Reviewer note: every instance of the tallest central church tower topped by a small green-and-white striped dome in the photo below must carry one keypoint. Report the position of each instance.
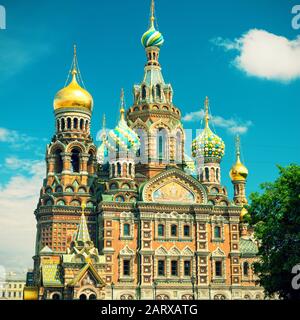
(153, 116)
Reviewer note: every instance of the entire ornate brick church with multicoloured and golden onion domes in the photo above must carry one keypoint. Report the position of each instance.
(135, 217)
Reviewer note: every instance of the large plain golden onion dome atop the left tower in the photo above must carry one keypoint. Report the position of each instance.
(73, 96)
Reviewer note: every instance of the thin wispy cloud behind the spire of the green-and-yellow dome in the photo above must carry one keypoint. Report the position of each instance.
(233, 126)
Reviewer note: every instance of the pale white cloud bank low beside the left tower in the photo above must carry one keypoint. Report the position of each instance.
(18, 199)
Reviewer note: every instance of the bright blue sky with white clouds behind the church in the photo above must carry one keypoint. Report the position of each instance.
(242, 54)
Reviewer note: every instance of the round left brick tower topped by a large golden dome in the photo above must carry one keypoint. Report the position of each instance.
(71, 168)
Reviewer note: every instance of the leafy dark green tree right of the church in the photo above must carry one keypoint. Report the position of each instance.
(275, 215)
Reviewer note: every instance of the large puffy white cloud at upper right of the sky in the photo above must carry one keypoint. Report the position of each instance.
(265, 55)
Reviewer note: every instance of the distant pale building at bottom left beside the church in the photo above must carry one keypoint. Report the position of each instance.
(12, 287)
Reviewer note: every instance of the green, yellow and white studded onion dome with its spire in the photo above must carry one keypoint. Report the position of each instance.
(208, 144)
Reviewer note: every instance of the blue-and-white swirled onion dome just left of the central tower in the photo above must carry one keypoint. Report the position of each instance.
(122, 137)
